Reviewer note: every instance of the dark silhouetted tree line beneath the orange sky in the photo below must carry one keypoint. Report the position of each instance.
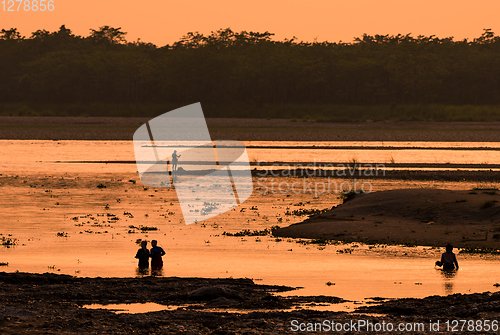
(247, 68)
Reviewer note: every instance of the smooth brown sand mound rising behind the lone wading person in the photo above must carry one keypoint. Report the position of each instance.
(430, 217)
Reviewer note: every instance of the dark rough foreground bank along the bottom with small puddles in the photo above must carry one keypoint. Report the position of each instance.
(52, 304)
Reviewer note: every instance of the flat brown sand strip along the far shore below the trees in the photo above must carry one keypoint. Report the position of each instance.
(121, 128)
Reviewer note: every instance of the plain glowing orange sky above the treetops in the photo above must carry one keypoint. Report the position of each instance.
(165, 21)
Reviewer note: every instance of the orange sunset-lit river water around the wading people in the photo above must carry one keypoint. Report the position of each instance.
(43, 197)
